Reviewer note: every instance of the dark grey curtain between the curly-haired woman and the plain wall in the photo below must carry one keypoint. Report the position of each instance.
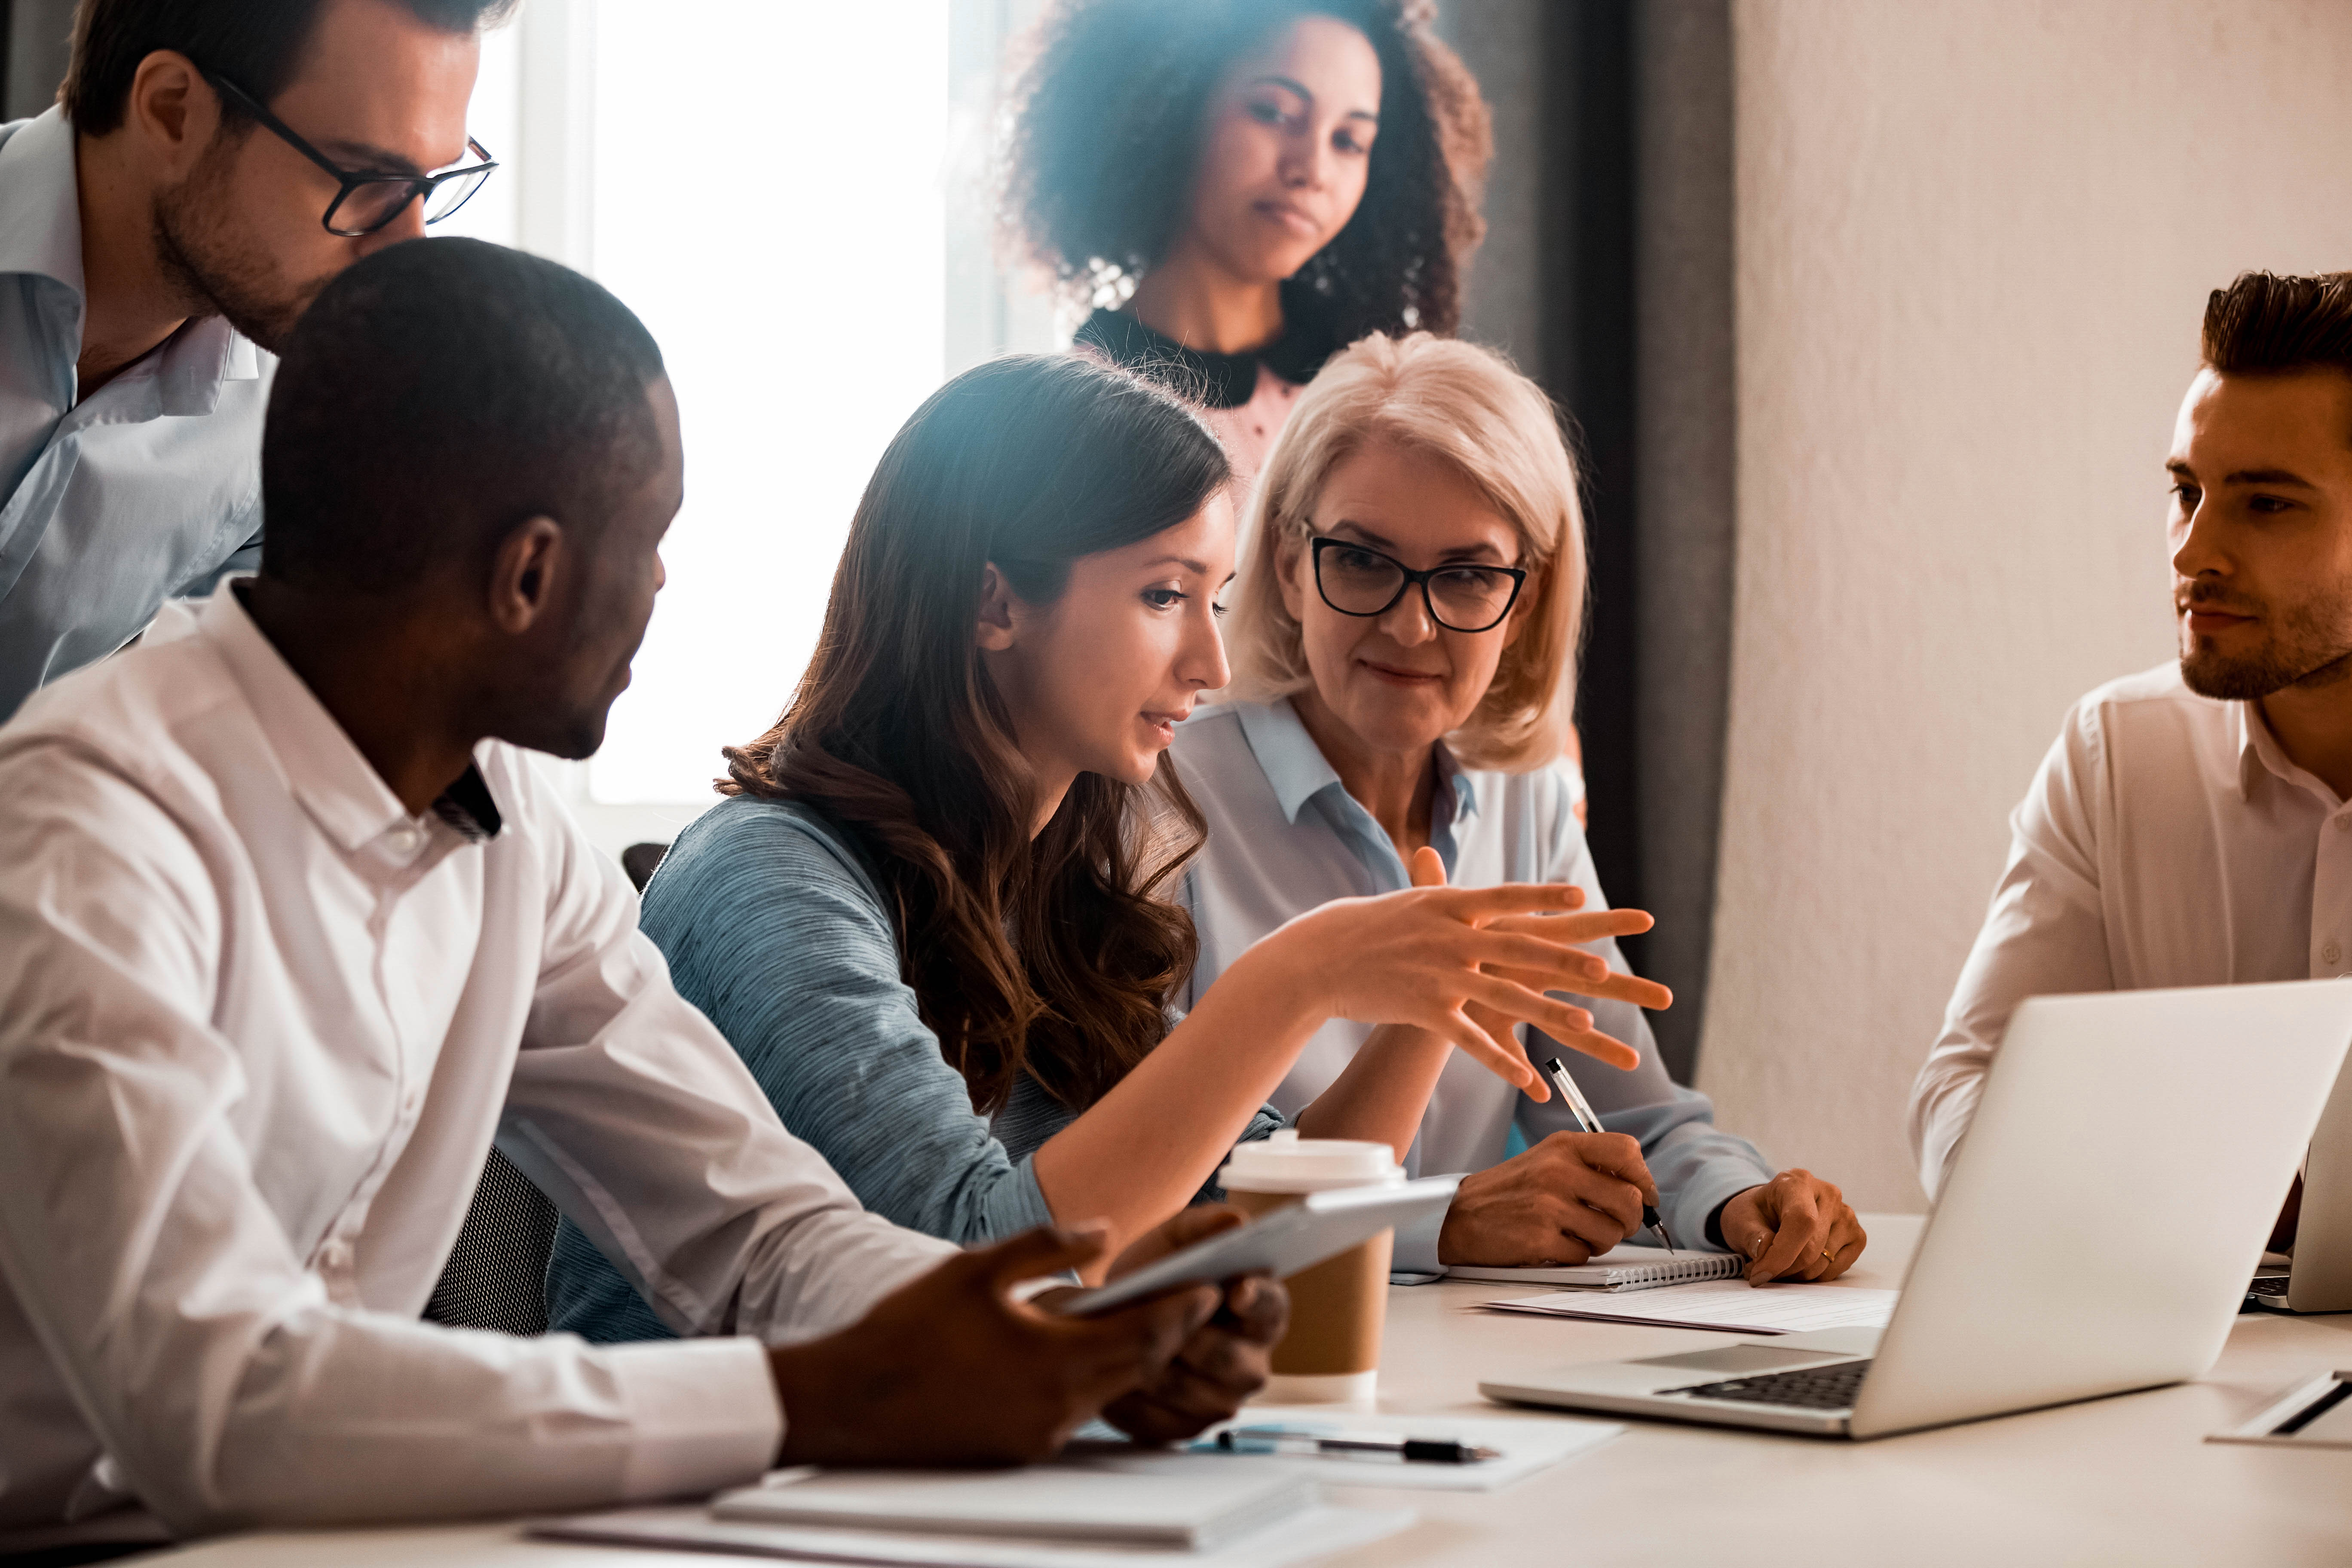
(1608, 276)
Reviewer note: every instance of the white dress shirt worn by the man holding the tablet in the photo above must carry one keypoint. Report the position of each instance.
(258, 1033)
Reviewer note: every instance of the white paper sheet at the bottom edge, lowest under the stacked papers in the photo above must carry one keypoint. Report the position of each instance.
(1302, 1539)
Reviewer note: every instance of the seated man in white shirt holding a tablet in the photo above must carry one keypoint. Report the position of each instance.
(290, 932)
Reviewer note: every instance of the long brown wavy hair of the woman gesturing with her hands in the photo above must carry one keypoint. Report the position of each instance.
(1048, 958)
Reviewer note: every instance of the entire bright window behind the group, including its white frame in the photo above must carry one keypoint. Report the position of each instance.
(791, 199)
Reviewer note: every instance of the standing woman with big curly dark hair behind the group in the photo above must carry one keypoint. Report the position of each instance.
(1271, 177)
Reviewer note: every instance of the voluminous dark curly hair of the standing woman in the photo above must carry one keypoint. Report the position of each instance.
(1107, 128)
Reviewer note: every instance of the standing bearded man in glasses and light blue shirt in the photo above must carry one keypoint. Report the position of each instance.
(211, 166)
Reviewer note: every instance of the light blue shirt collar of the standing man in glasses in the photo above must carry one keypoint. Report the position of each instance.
(41, 236)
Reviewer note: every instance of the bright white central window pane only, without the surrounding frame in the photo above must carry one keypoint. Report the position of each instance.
(768, 199)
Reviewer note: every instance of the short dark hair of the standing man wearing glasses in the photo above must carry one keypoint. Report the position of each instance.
(253, 43)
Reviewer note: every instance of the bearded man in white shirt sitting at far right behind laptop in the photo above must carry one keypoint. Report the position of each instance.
(2191, 826)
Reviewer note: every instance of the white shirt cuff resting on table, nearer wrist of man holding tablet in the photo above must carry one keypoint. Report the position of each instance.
(702, 1414)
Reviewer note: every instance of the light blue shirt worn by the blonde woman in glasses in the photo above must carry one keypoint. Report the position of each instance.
(1288, 838)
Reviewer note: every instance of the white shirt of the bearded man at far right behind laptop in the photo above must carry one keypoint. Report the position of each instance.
(2167, 840)
